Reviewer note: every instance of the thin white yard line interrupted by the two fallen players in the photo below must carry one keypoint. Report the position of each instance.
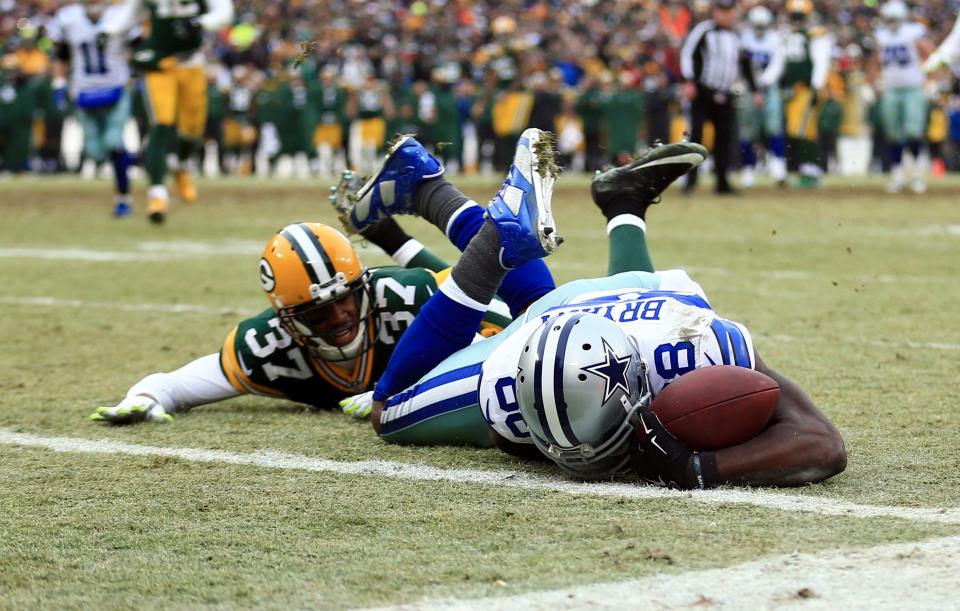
(178, 308)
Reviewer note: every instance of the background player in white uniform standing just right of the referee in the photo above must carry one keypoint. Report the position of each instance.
(761, 120)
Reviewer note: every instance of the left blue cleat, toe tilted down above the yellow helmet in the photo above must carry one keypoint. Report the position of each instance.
(390, 190)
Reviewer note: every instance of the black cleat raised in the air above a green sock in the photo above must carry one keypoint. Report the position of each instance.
(641, 181)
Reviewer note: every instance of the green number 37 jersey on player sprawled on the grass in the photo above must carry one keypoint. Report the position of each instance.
(260, 357)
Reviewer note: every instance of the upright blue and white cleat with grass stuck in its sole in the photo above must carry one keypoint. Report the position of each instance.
(521, 209)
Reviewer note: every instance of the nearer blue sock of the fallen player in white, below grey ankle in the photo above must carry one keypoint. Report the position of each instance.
(442, 327)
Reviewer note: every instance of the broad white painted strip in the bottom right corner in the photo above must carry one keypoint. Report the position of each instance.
(901, 576)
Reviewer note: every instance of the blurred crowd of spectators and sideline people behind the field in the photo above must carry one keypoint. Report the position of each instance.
(329, 81)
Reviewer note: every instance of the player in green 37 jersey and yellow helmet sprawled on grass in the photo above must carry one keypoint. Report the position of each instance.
(330, 330)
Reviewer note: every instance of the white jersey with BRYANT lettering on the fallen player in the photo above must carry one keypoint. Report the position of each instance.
(676, 332)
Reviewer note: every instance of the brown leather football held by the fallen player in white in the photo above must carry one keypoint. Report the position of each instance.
(717, 407)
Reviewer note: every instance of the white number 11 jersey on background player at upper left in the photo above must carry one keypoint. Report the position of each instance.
(92, 68)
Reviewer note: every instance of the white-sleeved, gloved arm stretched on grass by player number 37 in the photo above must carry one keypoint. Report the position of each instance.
(158, 396)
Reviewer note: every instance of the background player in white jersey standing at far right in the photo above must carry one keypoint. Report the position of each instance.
(901, 48)
